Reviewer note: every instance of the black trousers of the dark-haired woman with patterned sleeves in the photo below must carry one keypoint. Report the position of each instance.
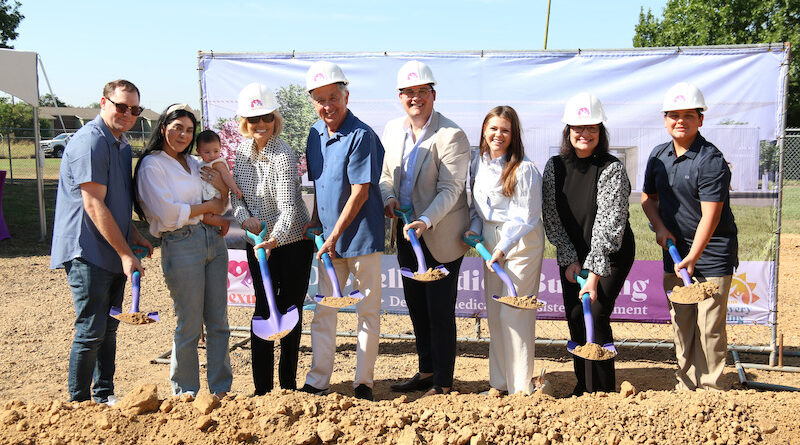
(603, 375)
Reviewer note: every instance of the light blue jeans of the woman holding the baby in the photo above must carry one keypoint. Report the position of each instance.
(194, 259)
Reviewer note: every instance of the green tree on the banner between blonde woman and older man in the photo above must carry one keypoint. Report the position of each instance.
(298, 116)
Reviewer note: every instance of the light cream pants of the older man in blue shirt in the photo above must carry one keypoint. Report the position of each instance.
(366, 270)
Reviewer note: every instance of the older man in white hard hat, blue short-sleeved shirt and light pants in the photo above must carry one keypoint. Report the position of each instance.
(344, 159)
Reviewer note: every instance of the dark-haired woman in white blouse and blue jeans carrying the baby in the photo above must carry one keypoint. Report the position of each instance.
(194, 257)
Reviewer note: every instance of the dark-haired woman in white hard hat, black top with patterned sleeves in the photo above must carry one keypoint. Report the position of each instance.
(585, 209)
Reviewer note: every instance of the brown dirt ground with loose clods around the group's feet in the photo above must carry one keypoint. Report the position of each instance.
(36, 331)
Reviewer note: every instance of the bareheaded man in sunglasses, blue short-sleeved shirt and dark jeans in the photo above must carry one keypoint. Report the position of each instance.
(91, 233)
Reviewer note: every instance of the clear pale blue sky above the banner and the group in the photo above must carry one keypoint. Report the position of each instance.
(154, 43)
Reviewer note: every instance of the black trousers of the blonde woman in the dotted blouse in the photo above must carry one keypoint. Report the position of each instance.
(289, 269)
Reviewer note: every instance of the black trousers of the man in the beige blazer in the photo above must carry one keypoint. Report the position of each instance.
(431, 306)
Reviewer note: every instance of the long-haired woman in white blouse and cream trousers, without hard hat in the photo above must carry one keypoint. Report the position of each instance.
(505, 209)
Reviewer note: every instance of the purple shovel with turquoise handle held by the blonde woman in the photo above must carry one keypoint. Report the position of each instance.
(277, 325)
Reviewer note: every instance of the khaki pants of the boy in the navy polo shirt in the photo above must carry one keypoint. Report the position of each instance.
(701, 341)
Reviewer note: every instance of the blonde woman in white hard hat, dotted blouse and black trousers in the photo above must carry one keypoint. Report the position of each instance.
(266, 171)
